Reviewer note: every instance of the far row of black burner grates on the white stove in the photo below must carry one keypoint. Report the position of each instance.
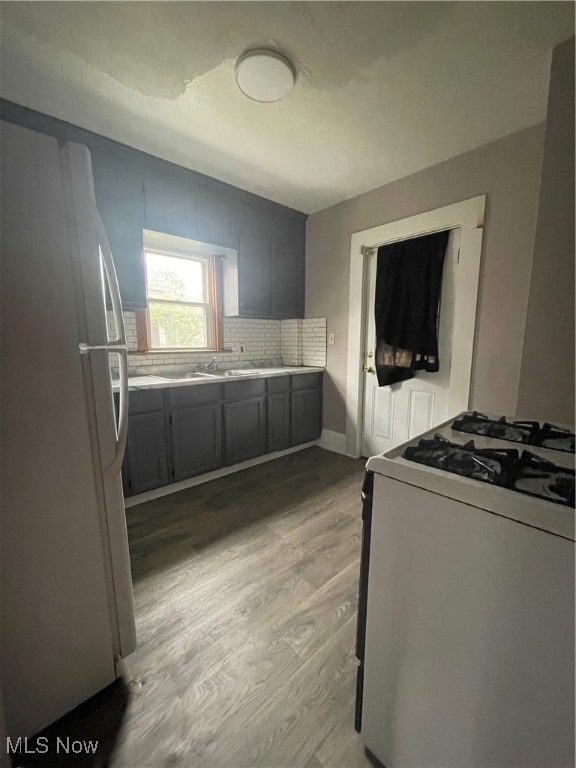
(527, 432)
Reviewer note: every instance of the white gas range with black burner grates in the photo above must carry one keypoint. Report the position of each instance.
(466, 609)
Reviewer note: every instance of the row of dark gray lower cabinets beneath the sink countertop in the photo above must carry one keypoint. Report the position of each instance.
(180, 432)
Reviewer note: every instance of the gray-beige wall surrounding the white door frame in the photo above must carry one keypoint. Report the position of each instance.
(508, 172)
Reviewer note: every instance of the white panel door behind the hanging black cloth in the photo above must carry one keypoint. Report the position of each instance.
(396, 413)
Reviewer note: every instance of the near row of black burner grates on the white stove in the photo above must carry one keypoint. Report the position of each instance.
(525, 473)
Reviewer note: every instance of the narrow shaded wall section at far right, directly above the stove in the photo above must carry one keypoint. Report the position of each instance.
(547, 380)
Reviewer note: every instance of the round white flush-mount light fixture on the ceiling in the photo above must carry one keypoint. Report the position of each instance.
(264, 75)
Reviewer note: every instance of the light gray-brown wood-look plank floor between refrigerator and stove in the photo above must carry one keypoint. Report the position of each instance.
(246, 592)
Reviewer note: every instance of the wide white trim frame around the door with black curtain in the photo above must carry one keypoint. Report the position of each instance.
(467, 215)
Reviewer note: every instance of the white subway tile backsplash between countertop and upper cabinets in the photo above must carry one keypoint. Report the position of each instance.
(292, 342)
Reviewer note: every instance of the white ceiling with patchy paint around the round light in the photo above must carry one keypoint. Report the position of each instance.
(383, 89)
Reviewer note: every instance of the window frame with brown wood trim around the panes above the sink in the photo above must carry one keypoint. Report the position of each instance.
(153, 242)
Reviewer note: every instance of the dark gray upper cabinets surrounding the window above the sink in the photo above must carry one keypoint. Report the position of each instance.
(135, 190)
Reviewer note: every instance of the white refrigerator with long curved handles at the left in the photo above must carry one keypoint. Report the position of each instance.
(66, 590)
